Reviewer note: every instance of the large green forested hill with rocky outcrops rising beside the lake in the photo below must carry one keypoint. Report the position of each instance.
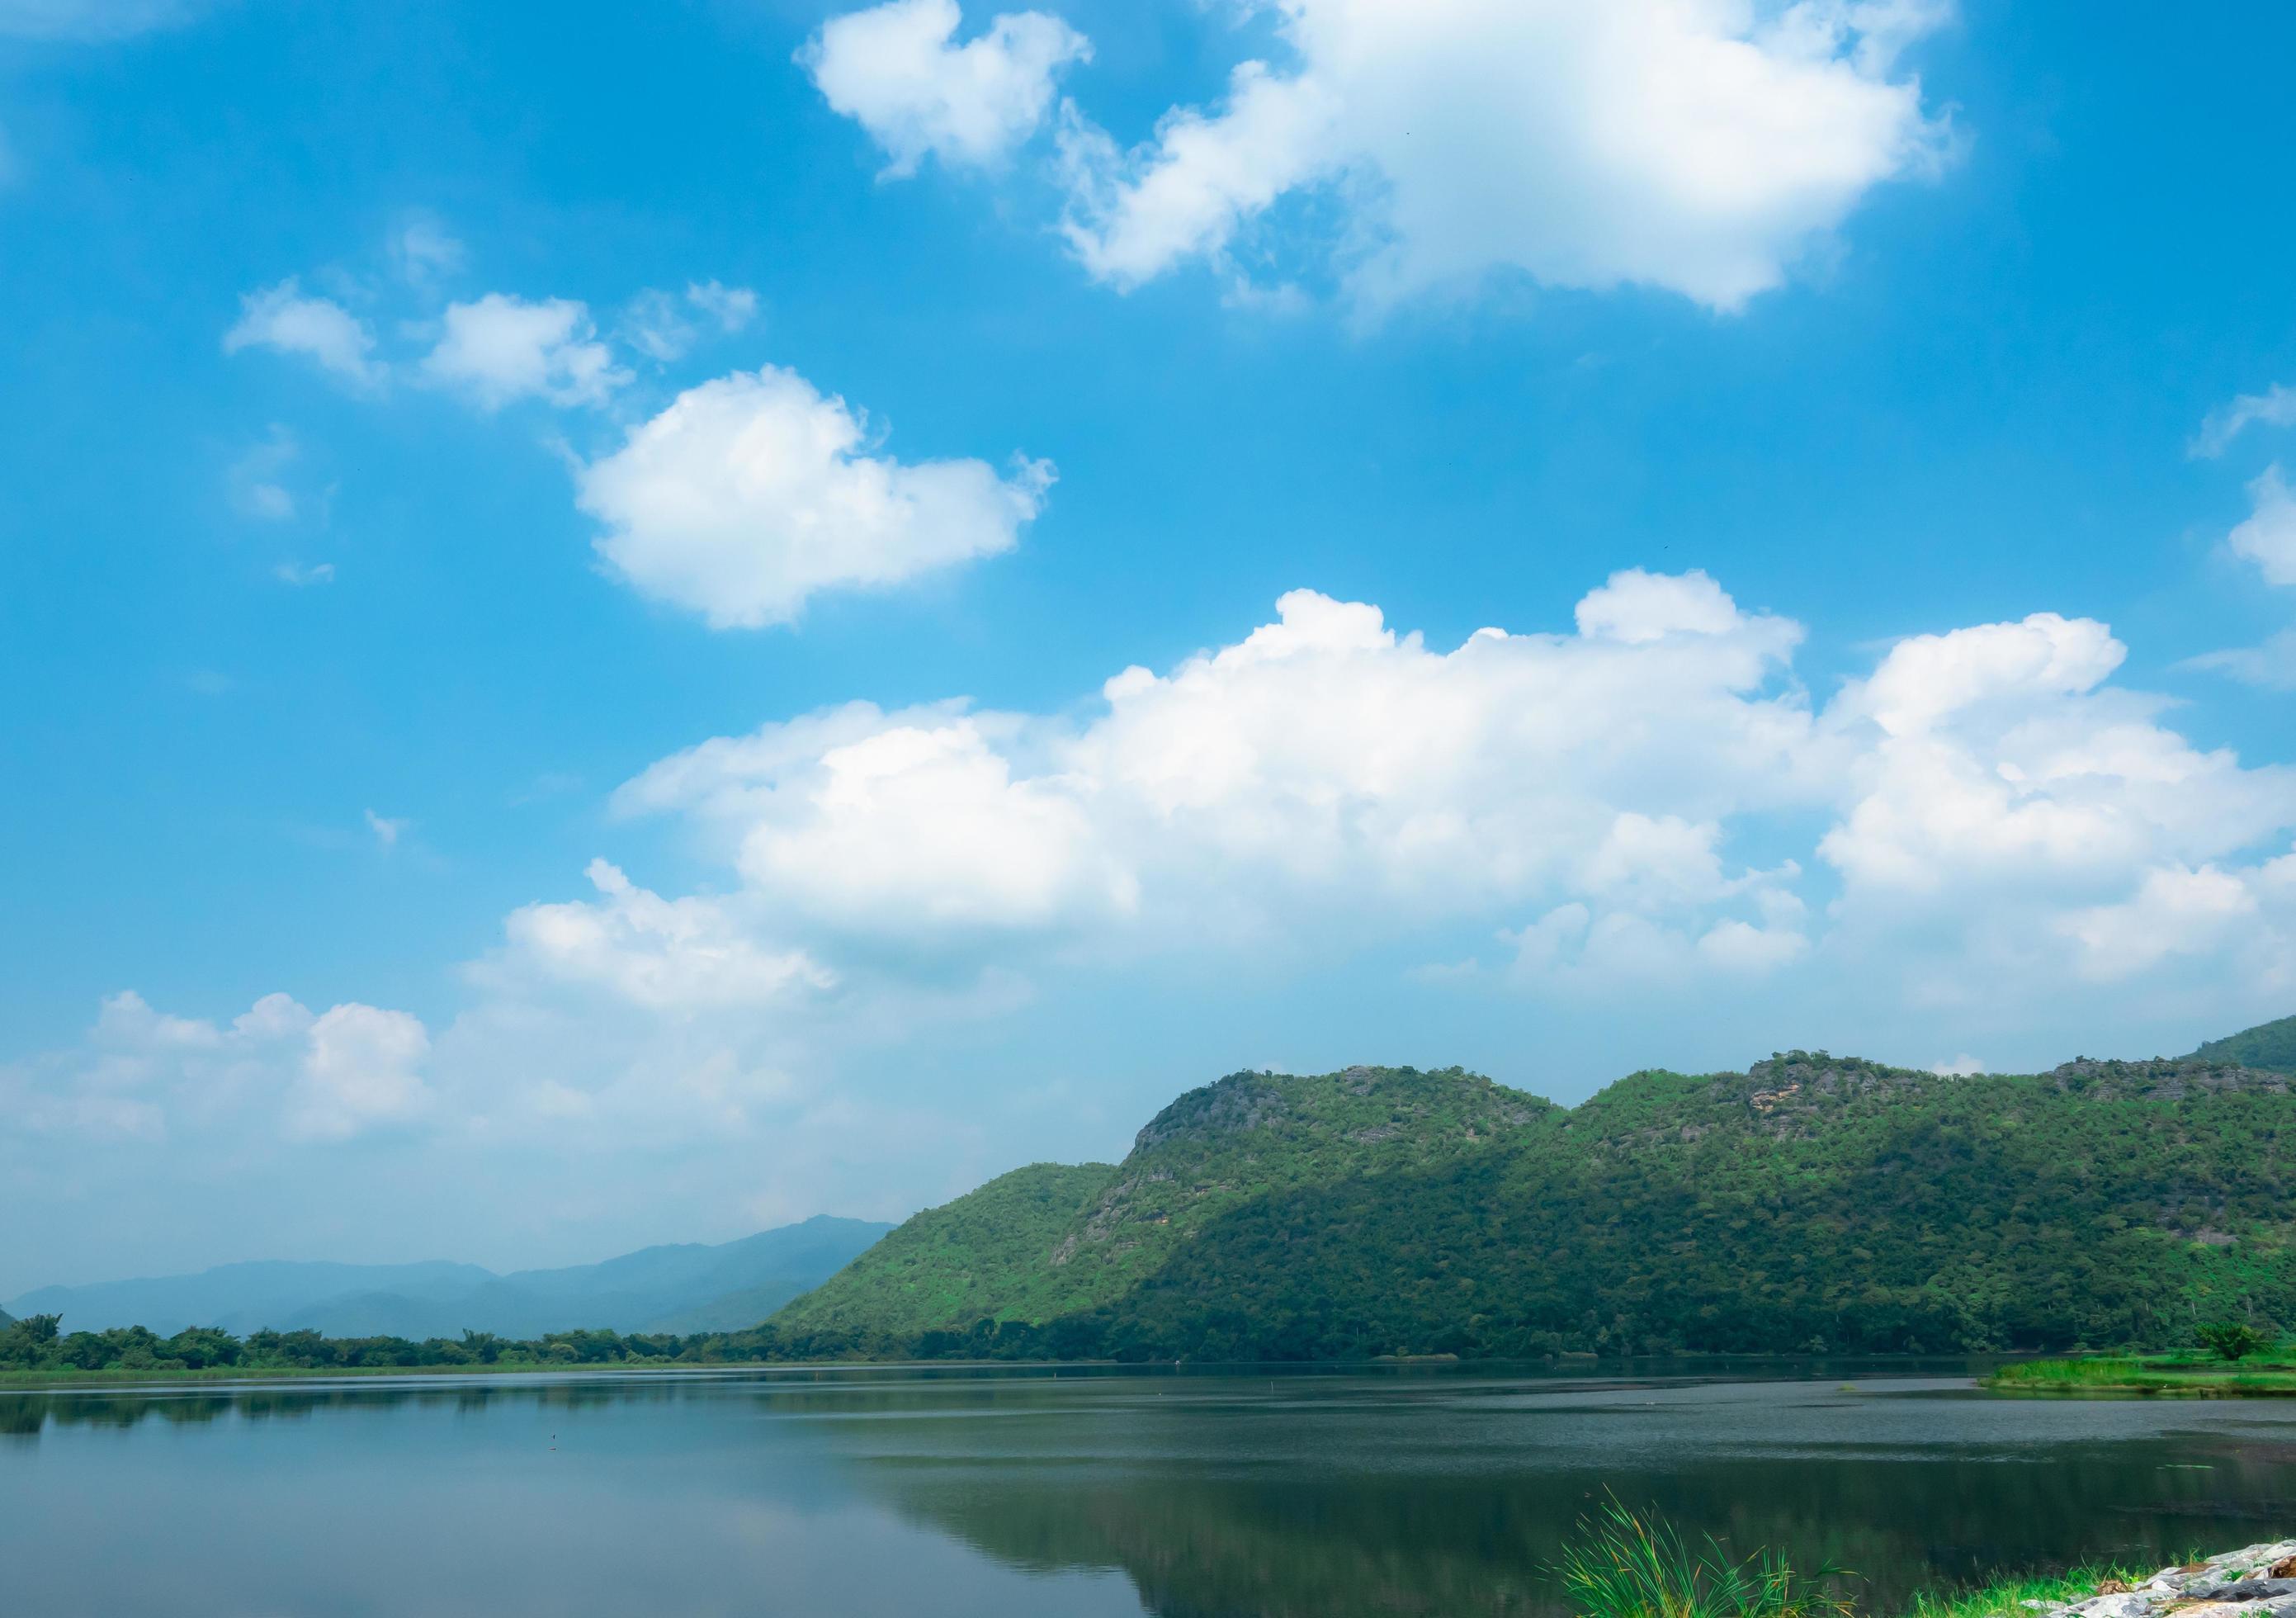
(1808, 1204)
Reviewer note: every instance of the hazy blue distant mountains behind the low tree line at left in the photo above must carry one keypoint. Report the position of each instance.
(662, 1289)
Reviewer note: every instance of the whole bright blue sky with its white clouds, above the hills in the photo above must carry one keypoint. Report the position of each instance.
(465, 462)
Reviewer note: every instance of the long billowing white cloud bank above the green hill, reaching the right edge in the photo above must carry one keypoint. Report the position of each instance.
(1597, 784)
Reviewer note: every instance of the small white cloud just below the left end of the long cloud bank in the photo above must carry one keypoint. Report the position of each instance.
(656, 954)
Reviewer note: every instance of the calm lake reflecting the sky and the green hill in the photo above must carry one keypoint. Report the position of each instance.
(1078, 1495)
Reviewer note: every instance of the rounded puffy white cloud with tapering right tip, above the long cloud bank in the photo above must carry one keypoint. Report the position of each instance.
(752, 492)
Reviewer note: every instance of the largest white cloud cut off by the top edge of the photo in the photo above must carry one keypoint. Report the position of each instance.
(1691, 146)
